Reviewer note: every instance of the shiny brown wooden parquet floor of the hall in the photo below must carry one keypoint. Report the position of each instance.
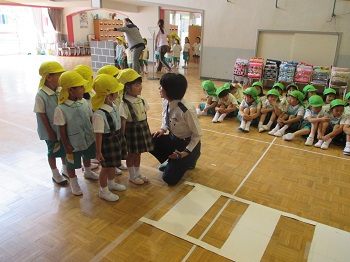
(40, 221)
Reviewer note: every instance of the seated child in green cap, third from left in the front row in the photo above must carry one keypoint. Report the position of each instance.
(248, 109)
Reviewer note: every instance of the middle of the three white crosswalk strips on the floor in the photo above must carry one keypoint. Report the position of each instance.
(252, 234)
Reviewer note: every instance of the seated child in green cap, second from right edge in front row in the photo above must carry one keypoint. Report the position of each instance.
(332, 127)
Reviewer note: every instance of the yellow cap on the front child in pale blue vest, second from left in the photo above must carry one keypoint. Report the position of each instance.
(67, 80)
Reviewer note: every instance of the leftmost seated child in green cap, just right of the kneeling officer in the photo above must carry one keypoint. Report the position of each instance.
(212, 99)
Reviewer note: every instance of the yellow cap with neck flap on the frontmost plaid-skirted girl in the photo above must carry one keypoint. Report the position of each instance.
(104, 85)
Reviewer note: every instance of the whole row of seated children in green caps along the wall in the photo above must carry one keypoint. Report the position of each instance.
(305, 113)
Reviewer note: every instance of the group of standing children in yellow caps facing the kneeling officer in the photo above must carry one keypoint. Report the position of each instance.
(69, 127)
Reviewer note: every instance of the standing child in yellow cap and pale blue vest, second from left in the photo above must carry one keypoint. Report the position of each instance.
(73, 116)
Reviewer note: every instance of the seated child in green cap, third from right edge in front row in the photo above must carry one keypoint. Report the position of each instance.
(312, 118)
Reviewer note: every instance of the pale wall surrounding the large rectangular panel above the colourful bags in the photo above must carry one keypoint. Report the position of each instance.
(230, 28)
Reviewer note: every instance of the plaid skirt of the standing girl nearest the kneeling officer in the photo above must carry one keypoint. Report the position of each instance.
(138, 137)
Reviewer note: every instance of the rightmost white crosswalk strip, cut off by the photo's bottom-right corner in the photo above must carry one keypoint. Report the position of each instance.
(329, 244)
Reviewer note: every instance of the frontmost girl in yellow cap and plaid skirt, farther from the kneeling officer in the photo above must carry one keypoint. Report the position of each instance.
(110, 142)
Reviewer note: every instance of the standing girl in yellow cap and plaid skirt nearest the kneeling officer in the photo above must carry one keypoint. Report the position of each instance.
(134, 123)
